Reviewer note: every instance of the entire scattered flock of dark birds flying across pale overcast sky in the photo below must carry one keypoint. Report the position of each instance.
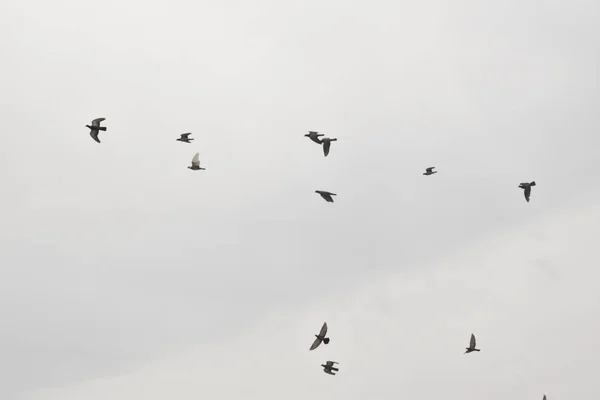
(318, 138)
